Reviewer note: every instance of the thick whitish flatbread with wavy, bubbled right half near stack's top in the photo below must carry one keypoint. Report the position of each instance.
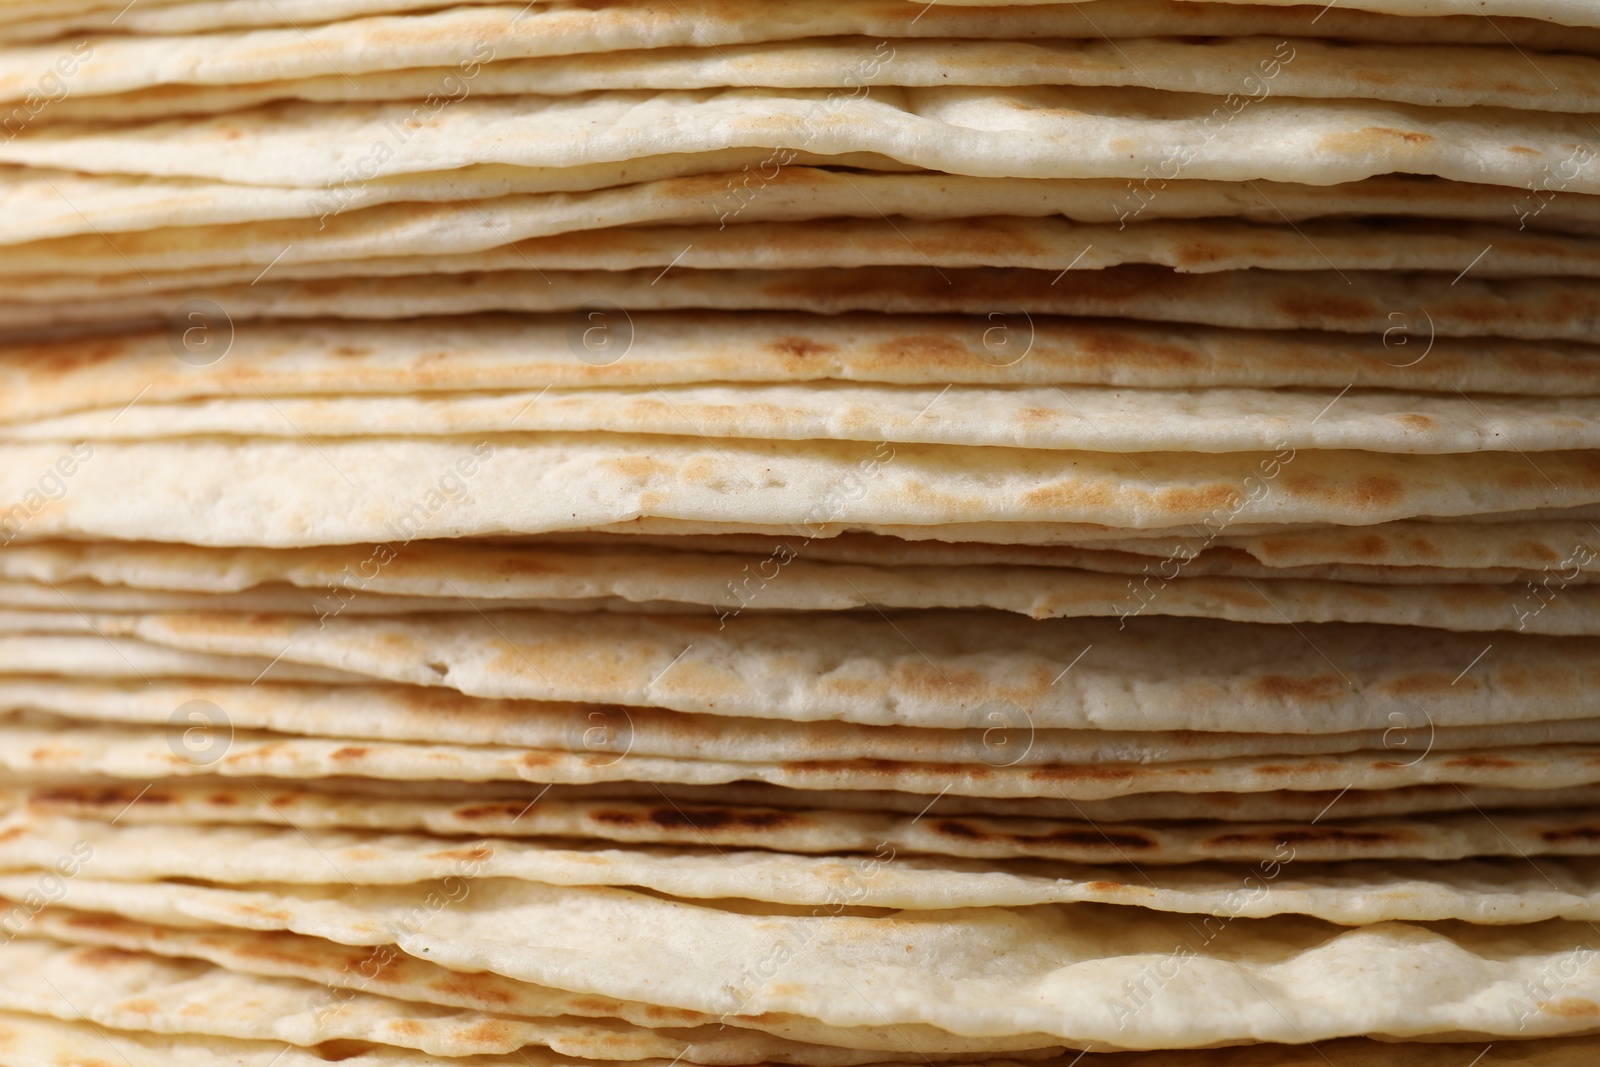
(1034, 132)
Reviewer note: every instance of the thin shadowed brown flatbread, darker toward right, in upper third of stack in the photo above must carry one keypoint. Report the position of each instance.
(1398, 308)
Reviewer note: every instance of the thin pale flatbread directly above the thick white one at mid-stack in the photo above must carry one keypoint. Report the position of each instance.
(1105, 420)
